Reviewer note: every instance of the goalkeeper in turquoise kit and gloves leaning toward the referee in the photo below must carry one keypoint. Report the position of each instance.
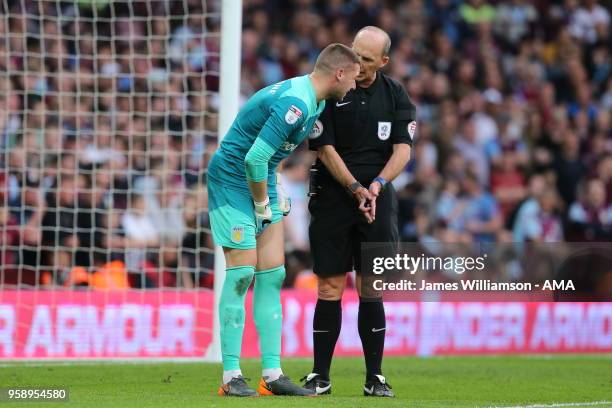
(246, 210)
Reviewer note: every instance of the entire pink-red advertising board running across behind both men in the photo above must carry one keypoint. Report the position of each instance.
(75, 324)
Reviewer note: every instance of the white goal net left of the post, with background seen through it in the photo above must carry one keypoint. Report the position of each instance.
(108, 115)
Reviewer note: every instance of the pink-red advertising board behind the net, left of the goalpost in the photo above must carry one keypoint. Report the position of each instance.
(127, 324)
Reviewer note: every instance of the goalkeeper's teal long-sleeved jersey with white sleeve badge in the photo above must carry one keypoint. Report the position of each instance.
(282, 115)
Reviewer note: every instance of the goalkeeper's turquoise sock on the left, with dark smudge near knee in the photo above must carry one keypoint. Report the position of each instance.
(231, 313)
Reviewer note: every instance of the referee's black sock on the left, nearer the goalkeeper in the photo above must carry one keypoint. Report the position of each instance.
(325, 331)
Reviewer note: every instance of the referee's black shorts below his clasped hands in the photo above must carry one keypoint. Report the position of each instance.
(337, 228)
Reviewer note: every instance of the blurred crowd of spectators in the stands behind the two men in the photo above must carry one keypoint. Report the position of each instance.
(107, 122)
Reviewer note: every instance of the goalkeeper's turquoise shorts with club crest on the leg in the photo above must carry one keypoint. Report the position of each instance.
(231, 216)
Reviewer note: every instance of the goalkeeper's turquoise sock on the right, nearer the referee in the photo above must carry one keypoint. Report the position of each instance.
(269, 314)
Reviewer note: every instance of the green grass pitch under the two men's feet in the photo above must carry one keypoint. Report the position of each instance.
(485, 381)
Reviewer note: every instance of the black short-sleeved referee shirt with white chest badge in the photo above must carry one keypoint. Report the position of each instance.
(364, 126)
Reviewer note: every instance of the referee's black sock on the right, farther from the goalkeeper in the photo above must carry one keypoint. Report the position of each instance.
(371, 322)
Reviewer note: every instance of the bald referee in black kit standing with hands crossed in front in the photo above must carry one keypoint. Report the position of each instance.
(362, 142)
